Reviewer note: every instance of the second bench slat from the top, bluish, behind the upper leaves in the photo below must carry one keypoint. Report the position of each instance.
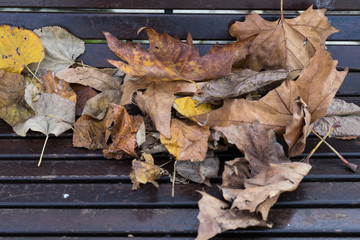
(125, 26)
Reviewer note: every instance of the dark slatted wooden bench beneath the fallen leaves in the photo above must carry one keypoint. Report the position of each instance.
(79, 194)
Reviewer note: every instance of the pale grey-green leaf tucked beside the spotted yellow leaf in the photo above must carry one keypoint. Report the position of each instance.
(61, 48)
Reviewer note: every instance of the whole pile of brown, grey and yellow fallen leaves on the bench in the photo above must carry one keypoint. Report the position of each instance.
(276, 80)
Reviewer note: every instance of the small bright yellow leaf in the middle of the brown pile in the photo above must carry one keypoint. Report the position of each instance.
(188, 107)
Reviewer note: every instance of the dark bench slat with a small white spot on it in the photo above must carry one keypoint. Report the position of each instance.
(113, 195)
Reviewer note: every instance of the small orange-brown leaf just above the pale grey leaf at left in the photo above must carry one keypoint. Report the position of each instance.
(52, 84)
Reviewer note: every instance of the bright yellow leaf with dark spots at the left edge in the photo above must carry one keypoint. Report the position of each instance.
(19, 47)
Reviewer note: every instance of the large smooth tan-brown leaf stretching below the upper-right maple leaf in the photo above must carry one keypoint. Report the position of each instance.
(316, 86)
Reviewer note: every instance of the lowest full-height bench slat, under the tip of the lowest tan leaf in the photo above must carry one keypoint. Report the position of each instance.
(70, 222)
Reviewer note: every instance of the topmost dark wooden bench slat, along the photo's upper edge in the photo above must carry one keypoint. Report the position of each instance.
(182, 4)
